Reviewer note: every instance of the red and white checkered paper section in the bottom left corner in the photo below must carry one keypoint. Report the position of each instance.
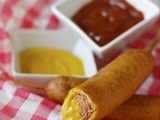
(18, 104)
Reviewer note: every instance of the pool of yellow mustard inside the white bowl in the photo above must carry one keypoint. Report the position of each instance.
(50, 61)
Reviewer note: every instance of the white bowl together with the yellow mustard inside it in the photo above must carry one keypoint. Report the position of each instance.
(39, 56)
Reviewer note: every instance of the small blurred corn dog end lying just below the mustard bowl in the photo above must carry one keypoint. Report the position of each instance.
(57, 89)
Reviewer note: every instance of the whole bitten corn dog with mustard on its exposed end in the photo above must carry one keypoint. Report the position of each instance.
(110, 87)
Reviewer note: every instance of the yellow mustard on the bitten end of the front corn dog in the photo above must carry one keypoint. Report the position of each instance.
(71, 109)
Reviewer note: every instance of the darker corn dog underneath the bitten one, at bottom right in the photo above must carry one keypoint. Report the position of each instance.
(138, 107)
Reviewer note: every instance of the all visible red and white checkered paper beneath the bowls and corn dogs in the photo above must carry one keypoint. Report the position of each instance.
(20, 104)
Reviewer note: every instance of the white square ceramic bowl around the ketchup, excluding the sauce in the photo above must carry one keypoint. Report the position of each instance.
(65, 9)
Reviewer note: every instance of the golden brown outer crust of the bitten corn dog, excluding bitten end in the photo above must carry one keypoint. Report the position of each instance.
(116, 82)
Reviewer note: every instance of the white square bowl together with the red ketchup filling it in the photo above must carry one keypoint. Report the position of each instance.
(107, 24)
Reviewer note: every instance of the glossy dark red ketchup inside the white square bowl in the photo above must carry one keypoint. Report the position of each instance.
(104, 20)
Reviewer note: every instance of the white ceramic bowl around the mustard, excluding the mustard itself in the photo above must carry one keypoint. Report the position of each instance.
(60, 39)
